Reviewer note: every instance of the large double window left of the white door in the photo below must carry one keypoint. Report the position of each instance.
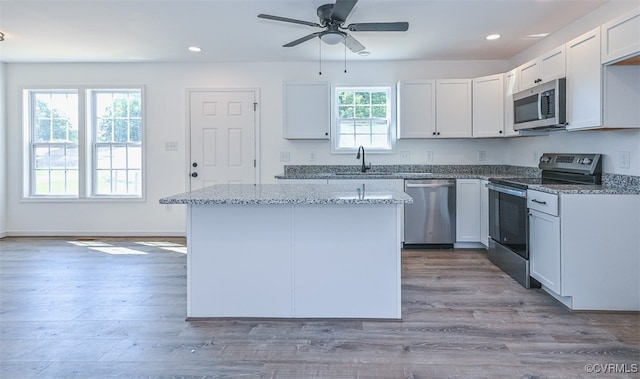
(78, 151)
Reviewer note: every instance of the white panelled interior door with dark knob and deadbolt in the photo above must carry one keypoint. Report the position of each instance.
(223, 136)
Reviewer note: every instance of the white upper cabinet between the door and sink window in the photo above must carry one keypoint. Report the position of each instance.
(307, 110)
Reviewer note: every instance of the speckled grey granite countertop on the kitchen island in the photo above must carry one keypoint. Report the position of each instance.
(289, 194)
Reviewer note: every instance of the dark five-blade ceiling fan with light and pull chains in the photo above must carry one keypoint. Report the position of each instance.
(332, 18)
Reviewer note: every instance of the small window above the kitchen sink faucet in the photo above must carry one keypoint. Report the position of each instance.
(363, 118)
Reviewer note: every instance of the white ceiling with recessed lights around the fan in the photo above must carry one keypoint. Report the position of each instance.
(161, 30)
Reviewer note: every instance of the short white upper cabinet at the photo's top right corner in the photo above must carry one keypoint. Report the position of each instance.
(621, 37)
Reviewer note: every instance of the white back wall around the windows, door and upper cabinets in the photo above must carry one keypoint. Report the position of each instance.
(166, 174)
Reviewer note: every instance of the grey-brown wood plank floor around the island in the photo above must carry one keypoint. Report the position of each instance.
(82, 308)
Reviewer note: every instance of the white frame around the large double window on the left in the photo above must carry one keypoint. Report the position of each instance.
(86, 157)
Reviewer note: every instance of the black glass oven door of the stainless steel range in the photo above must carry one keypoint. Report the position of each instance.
(508, 220)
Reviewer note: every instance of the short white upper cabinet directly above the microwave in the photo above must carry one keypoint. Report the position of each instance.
(542, 69)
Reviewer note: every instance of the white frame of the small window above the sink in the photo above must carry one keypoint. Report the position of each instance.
(335, 127)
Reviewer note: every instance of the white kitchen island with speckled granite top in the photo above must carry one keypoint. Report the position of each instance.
(293, 251)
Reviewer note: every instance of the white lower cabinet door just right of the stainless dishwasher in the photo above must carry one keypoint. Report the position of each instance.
(468, 210)
